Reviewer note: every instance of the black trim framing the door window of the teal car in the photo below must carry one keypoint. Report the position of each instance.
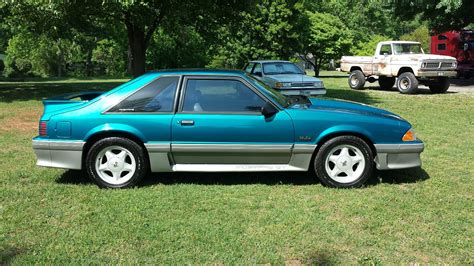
(215, 77)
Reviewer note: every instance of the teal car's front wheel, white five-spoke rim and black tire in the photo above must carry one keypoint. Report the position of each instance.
(344, 162)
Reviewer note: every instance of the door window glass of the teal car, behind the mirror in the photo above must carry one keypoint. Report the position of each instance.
(220, 96)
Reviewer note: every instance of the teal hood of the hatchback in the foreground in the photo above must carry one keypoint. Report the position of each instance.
(348, 107)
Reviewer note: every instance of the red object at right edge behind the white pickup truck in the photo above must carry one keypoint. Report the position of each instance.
(458, 44)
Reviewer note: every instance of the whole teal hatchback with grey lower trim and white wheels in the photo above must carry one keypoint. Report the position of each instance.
(218, 121)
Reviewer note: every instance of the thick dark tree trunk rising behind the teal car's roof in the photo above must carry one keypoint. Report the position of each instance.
(137, 47)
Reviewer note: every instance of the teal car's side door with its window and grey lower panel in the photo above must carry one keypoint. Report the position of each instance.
(219, 121)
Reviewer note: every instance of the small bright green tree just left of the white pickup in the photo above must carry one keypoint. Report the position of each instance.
(325, 38)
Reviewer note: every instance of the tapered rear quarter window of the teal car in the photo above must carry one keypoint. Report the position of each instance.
(157, 96)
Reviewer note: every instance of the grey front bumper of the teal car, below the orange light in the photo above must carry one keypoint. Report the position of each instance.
(398, 156)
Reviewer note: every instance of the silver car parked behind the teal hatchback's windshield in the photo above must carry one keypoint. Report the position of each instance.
(286, 77)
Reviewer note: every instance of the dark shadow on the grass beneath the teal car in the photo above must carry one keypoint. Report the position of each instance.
(263, 178)
